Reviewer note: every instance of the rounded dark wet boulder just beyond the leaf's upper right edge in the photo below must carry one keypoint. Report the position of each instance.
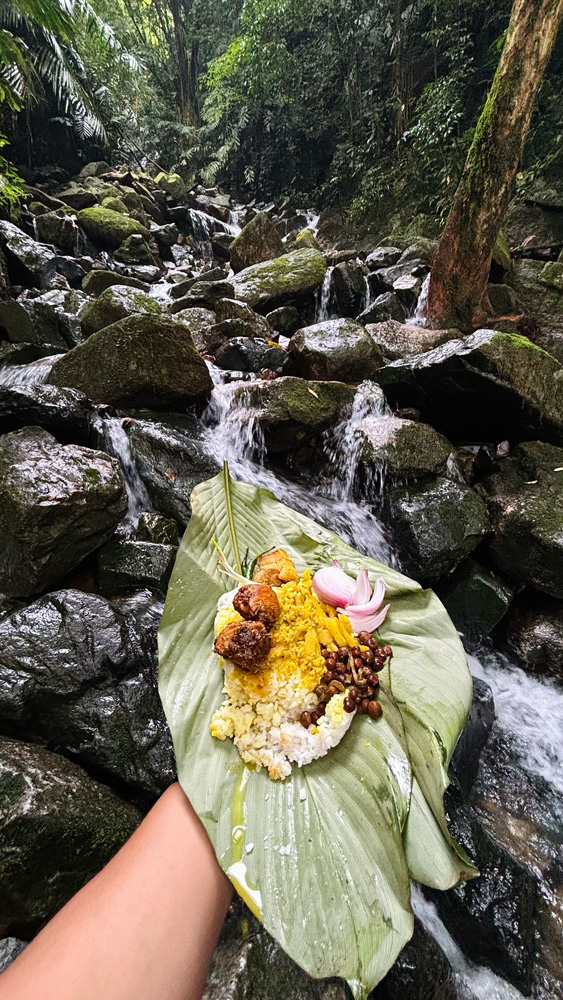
(435, 525)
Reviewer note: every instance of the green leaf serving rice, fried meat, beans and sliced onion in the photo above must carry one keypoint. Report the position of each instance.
(315, 697)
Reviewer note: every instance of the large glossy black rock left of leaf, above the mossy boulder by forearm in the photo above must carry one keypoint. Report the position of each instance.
(80, 675)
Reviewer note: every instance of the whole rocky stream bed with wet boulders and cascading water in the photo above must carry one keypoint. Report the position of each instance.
(147, 333)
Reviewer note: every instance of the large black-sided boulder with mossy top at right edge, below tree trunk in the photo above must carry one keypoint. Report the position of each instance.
(515, 388)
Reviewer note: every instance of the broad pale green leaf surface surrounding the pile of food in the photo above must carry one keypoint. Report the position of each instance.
(324, 858)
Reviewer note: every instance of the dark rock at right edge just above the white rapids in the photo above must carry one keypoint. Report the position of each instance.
(534, 630)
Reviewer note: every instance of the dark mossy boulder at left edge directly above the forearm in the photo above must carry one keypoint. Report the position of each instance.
(59, 828)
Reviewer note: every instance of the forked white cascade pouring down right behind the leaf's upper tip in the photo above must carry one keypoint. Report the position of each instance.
(233, 434)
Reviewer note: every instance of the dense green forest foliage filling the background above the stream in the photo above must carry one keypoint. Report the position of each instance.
(367, 106)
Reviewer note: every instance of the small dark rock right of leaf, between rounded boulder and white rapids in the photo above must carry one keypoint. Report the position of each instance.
(475, 598)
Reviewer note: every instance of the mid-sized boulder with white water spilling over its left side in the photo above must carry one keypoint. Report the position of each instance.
(390, 446)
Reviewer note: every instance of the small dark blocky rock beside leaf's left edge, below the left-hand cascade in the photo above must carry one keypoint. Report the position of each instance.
(132, 565)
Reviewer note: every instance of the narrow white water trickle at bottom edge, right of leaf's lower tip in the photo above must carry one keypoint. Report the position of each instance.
(473, 982)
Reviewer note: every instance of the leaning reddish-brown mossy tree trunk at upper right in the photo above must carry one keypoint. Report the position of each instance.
(457, 295)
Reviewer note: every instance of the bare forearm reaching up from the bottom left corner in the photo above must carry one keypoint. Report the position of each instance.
(143, 929)
